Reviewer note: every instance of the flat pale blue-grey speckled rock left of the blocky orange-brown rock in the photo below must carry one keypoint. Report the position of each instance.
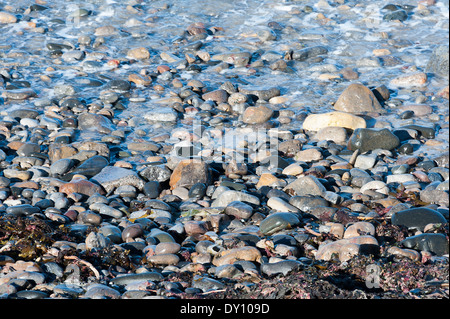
(111, 177)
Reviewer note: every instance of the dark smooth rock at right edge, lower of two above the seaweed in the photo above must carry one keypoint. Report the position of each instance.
(434, 243)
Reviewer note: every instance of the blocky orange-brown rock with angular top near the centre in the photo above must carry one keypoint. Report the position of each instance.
(189, 172)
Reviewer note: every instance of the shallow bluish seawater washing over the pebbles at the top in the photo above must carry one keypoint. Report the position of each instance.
(350, 30)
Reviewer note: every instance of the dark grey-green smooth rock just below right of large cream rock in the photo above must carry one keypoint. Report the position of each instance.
(368, 139)
